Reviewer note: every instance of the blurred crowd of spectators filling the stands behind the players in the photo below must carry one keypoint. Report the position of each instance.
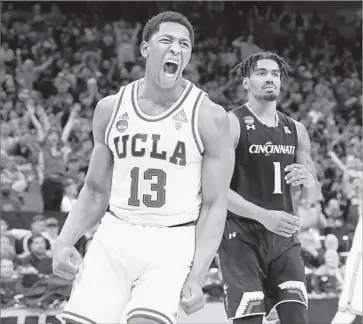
(58, 60)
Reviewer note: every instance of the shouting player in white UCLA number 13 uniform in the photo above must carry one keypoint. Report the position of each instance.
(160, 146)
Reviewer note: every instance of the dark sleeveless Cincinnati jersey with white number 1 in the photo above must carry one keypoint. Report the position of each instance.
(262, 153)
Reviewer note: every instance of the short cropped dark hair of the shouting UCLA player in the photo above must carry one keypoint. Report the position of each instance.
(153, 24)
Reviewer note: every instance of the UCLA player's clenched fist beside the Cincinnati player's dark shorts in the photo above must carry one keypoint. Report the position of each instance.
(192, 297)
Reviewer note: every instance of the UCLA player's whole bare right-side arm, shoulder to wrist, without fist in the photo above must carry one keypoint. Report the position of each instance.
(216, 174)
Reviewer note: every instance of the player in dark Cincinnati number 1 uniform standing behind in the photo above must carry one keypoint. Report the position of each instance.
(260, 253)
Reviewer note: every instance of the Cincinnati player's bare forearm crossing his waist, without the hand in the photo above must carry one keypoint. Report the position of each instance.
(242, 207)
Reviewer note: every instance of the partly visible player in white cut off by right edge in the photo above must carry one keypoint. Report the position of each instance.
(350, 302)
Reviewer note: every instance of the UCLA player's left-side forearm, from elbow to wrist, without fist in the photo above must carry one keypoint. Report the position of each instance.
(86, 212)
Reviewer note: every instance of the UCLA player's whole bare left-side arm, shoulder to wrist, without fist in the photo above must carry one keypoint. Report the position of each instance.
(94, 196)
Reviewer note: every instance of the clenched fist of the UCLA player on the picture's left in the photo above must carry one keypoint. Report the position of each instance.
(65, 261)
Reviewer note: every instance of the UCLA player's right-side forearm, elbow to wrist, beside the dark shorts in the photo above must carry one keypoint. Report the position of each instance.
(209, 232)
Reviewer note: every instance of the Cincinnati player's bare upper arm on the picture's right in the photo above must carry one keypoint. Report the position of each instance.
(303, 152)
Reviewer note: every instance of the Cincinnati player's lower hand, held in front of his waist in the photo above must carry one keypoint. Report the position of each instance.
(281, 223)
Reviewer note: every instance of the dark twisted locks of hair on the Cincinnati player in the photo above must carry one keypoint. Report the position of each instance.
(245, 68)
